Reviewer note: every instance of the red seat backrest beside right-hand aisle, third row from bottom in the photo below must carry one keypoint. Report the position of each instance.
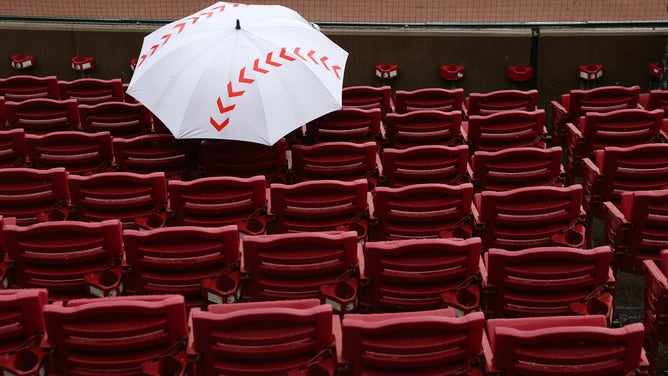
(531, 217)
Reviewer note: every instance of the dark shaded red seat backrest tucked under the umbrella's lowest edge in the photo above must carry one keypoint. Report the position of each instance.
(245, 159)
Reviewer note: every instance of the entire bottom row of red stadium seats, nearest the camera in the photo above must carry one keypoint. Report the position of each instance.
(153, 335)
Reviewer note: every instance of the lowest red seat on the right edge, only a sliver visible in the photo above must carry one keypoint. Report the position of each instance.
(655, 303)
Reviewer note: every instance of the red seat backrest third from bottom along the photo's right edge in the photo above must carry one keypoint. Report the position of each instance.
(633, 168)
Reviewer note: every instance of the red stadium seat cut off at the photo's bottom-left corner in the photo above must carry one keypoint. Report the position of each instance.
(22, 331)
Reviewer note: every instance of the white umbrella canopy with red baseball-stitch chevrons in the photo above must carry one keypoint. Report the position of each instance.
(239, 72)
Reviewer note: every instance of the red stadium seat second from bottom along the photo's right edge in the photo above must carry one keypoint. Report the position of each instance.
(638, 229)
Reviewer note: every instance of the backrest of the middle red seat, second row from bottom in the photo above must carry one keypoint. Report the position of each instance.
(295, 266)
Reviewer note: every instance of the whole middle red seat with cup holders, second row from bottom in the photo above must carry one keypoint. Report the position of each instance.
(321, 265)
